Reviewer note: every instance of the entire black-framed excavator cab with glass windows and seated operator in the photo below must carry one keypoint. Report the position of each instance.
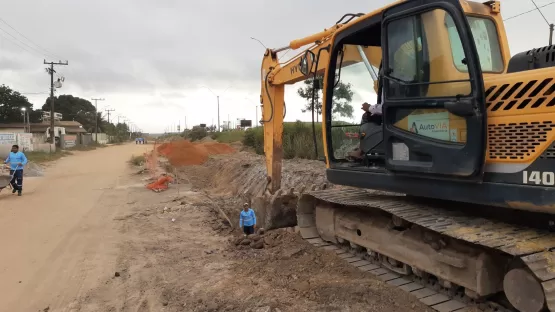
(429, 82)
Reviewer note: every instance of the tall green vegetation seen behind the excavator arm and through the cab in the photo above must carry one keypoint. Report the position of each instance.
(298, 140)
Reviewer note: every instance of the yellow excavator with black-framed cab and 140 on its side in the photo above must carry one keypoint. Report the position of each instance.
(455, 185)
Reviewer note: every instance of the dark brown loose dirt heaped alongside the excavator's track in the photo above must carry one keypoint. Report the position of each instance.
(295, 271)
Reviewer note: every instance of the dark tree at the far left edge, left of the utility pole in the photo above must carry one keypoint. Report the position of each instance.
(11, 103)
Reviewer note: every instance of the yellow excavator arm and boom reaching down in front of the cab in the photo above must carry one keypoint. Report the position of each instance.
(275, 75)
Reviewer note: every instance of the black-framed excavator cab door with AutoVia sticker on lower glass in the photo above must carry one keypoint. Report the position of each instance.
(434, 104)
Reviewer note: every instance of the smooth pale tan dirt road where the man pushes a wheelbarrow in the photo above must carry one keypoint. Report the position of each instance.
(58, 240)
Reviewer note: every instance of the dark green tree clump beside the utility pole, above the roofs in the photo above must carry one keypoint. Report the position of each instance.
(78, 109)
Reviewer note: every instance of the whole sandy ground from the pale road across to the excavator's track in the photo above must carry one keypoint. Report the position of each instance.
(89, 237)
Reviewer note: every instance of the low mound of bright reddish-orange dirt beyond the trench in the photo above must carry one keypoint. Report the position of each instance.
(186, 153)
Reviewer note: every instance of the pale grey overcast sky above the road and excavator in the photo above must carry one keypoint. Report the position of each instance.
(149, 59)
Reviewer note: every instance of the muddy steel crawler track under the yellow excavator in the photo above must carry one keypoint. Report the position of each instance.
(447, 259)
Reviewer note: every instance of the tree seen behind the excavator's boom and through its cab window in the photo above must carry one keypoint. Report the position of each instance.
(342, 97)
